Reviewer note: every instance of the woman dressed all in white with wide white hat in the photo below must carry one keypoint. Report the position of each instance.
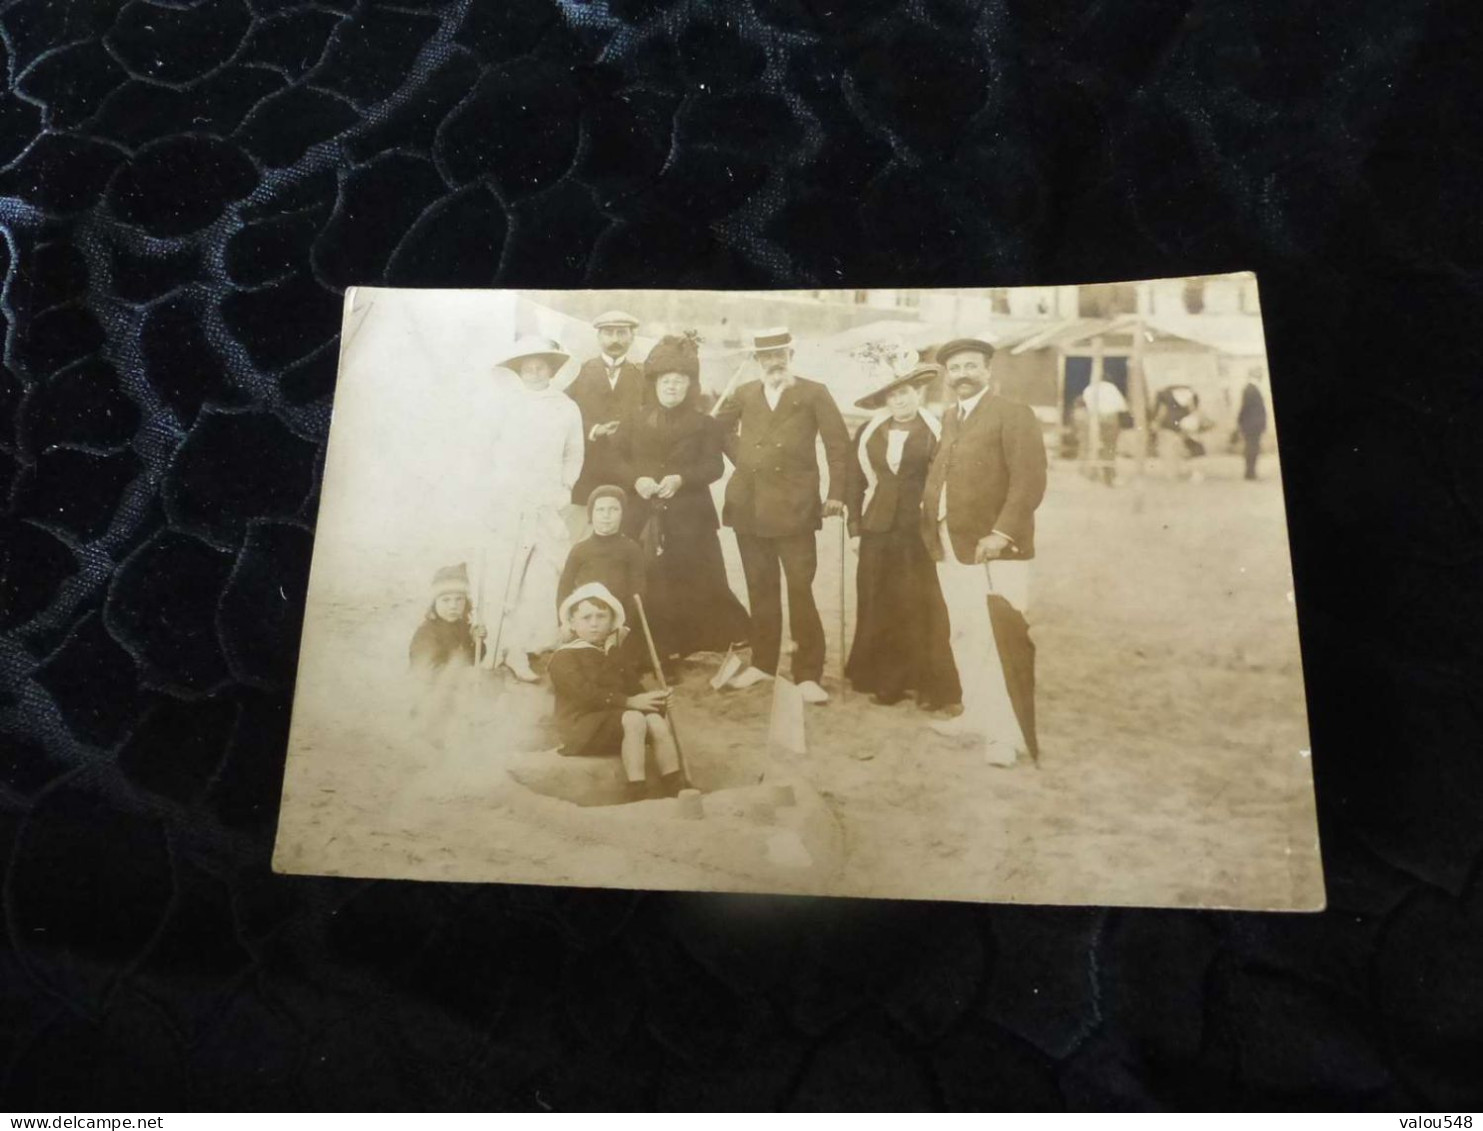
(533, 462)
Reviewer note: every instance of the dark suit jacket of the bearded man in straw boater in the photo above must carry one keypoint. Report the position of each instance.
(775, 490)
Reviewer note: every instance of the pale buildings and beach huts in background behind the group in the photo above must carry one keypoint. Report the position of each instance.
(1203, 331)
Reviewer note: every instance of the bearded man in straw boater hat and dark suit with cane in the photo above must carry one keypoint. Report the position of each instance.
(772, 431)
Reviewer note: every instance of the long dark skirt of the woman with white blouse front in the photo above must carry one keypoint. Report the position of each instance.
(902, 635)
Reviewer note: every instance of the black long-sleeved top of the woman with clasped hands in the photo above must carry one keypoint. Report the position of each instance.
(662, 442)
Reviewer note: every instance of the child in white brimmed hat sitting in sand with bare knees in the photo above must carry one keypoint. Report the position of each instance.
(601, 705)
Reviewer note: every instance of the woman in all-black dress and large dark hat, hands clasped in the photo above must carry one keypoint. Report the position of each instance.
(668, 457)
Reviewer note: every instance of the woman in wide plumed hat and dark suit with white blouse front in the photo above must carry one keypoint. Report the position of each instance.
(902, 638)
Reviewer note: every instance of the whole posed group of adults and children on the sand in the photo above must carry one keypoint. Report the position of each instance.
(942, 514)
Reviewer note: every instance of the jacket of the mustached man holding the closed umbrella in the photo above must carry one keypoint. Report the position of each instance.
(993, 468)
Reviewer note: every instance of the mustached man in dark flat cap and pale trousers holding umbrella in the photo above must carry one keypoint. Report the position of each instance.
(980, 524)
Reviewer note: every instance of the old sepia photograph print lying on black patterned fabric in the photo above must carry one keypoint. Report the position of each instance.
(905, 594)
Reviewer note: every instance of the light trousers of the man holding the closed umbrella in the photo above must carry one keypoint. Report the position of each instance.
(985, 697)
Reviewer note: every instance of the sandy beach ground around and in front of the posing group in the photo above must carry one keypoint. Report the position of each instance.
(1174, 763)
